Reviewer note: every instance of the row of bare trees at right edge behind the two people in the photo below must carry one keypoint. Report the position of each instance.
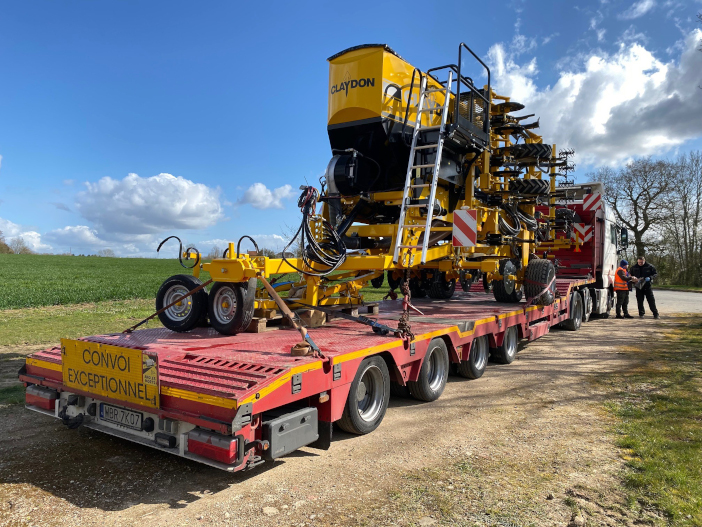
(660, 203)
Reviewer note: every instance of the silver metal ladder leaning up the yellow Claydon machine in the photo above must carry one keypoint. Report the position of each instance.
(410, 178)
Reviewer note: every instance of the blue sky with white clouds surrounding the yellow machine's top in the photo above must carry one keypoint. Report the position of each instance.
(230, 100)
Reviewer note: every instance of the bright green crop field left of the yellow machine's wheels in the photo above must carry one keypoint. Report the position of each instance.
(31, 280)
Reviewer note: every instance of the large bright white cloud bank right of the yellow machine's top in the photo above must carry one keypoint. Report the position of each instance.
(611, 107)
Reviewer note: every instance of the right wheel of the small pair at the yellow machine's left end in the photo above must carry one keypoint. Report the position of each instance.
(231, 306)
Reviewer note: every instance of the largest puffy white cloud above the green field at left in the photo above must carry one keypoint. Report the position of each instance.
(157, 204)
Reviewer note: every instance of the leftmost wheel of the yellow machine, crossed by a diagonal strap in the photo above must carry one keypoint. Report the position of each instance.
(186, 314)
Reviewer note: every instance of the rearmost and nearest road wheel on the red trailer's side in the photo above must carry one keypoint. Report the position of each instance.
(368, 397)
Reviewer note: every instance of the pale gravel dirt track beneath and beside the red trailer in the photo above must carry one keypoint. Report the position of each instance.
(529, 443)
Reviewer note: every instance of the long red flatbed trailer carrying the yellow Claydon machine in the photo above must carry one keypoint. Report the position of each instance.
(235, 401)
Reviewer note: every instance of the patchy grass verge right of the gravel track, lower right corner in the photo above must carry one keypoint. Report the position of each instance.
(659, 406)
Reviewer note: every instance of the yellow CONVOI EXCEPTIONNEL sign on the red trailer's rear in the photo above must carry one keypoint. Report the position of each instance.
(118, 373)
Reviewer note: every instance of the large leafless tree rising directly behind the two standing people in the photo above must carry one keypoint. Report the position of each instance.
(637, 195)
